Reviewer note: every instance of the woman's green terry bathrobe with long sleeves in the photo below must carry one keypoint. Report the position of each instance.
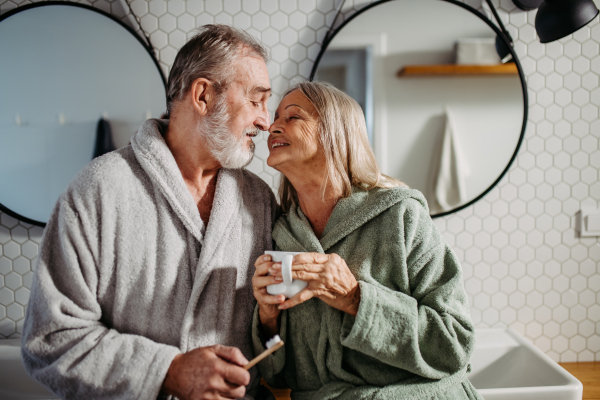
(412, 337)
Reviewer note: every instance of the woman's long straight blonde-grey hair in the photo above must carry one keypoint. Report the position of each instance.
(342, 132)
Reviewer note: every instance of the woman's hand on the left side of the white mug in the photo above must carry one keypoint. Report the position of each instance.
(267, 305)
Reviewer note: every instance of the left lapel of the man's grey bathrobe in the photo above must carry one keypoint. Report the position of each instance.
(154, 156)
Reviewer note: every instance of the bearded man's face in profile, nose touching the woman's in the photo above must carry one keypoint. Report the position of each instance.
(247, 98)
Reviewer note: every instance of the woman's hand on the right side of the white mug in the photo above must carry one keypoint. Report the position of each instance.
(329, 279)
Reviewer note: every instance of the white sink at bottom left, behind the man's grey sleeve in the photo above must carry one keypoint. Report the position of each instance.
(15, 384)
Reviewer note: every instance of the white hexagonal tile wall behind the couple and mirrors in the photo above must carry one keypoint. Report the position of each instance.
(524, 265)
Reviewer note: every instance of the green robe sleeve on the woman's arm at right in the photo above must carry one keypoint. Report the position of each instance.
(429, 331)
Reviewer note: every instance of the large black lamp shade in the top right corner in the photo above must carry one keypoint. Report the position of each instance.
(556, 19)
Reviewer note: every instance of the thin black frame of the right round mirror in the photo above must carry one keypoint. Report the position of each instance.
(515, 59)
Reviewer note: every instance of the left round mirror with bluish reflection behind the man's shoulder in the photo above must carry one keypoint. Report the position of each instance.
(66, 66)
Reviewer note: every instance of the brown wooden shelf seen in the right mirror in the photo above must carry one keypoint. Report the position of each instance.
(455, 70)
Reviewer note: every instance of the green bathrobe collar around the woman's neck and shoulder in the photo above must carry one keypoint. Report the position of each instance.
(294, 232)
